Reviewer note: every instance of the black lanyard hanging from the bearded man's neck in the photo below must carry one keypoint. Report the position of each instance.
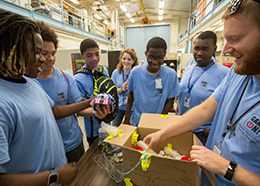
(230, 126)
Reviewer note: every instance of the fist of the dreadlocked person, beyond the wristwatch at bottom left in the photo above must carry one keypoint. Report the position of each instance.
(67, 173)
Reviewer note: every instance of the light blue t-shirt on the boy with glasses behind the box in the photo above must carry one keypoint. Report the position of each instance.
(148, 99)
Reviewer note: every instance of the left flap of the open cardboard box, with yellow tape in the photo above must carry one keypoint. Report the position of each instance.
(120, 140)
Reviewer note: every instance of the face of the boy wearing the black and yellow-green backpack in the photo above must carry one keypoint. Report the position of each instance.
(91, 57)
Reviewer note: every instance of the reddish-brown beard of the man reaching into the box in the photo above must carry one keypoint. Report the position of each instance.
(251, 65)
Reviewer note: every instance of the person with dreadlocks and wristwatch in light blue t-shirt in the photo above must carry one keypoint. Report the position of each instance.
(31, 147)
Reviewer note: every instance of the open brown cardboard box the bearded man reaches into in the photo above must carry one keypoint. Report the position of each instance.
(162, 170)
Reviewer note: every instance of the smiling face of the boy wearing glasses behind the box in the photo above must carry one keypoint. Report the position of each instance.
(155, 58)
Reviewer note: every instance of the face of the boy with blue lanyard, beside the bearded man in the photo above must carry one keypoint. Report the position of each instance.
(203, 51)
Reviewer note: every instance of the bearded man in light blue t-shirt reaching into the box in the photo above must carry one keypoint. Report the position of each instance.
(233, 146)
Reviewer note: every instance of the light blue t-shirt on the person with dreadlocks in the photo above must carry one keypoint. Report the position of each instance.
(30, 140)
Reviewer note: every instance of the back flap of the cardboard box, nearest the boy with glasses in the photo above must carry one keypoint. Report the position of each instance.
(155, 121)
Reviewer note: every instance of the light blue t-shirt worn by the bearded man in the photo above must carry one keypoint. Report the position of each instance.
(243, 147)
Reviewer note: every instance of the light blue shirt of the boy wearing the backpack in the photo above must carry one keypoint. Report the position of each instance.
(85, 85)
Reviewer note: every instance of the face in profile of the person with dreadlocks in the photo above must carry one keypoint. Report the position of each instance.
(35, 59)
